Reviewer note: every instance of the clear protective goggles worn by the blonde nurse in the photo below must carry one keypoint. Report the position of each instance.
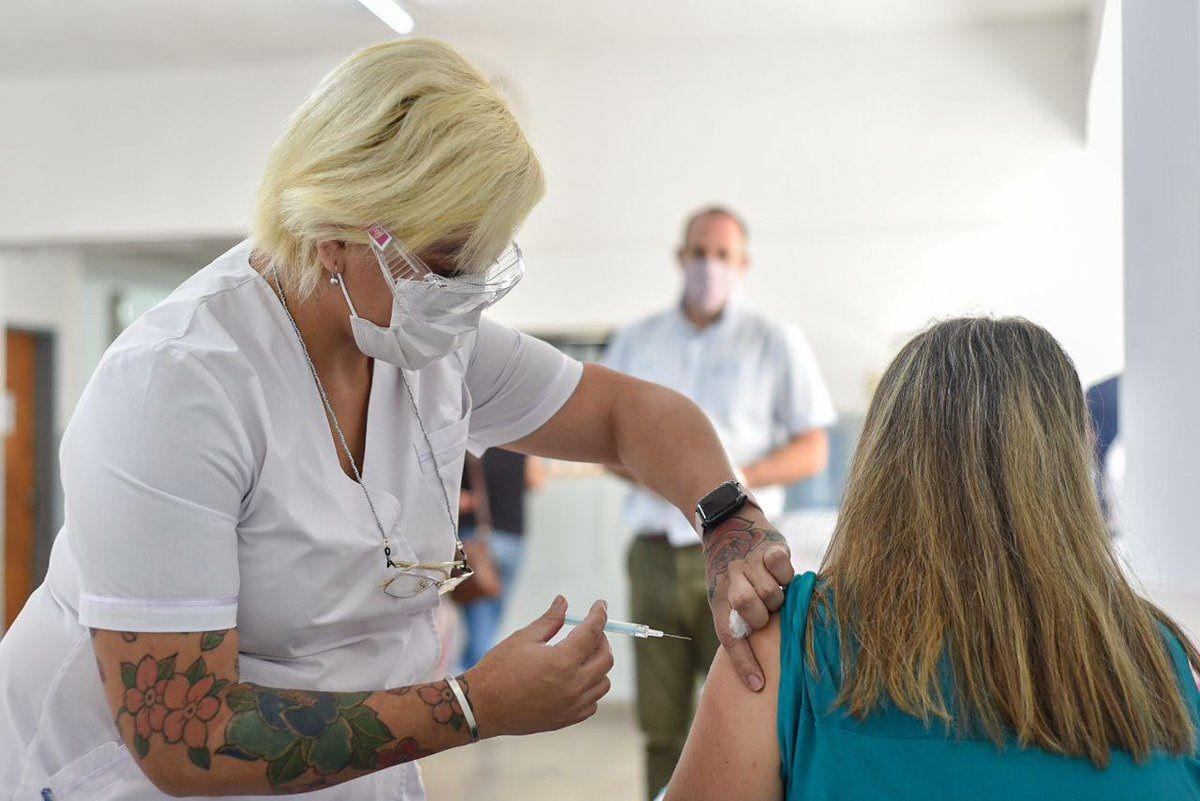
(434, 298)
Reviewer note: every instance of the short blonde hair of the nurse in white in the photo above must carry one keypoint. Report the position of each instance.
(406, 135)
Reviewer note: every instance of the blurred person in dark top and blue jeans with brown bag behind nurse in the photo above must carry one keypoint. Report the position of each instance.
(493, 516)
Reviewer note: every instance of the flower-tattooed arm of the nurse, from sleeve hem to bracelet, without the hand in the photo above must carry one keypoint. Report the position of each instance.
(197, 731)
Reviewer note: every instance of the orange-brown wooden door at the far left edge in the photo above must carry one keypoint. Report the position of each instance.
(21, 473)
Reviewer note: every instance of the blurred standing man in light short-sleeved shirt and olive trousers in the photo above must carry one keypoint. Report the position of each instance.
(760, 384)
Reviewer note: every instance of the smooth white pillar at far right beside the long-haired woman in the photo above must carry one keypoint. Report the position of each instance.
(1159, 423)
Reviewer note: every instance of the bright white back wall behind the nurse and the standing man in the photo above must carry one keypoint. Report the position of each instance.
(887, 179)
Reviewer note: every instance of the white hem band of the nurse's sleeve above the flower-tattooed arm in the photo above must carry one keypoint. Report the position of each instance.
(163, 616)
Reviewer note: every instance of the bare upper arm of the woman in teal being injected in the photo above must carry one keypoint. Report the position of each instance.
(733, 751)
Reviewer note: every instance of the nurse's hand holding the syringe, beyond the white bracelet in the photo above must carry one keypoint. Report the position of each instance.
(524, 685)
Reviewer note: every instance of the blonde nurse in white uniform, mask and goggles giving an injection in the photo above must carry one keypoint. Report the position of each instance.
(261, 479)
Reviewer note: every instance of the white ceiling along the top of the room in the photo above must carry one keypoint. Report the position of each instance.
(45, 37)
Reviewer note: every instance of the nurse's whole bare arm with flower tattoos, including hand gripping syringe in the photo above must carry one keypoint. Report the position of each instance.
(199, 731)
